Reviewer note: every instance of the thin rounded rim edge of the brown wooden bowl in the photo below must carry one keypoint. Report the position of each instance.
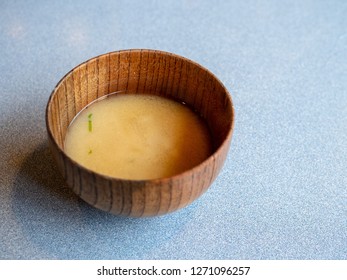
(177, 176)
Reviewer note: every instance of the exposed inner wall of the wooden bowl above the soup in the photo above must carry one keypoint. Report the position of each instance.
(142, 72)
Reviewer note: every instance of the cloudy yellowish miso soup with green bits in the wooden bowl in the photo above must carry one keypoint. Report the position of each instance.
(137, 136)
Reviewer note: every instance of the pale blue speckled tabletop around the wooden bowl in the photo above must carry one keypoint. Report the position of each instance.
(282, 193)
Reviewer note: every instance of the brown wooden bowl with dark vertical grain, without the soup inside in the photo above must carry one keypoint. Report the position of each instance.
(141, 71)
